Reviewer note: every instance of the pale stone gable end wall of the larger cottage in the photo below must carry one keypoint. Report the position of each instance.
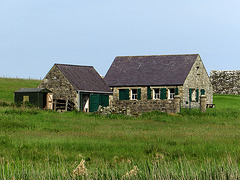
(197, 79)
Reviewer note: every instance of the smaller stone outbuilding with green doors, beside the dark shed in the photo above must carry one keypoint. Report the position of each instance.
(81, 85)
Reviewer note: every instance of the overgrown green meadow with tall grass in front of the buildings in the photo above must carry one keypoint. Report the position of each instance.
(37, 144)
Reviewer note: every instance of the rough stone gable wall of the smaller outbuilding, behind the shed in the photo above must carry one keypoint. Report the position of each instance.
(59, 85)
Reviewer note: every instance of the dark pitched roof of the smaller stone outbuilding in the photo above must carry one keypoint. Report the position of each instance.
(83, 78)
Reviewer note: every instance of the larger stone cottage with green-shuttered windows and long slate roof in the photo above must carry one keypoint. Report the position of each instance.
(145, 83)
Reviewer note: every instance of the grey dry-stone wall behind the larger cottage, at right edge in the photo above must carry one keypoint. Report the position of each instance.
(225, 82)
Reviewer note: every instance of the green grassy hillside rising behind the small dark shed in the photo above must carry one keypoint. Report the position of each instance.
(8, 86)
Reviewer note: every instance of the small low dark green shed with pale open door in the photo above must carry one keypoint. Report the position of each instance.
(40, 97)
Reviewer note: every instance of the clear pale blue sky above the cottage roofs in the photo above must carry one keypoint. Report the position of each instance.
(35, 34)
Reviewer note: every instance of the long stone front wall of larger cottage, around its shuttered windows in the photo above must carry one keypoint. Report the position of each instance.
(143, 105)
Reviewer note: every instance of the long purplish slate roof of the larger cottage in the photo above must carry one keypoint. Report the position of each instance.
(157, 70)
